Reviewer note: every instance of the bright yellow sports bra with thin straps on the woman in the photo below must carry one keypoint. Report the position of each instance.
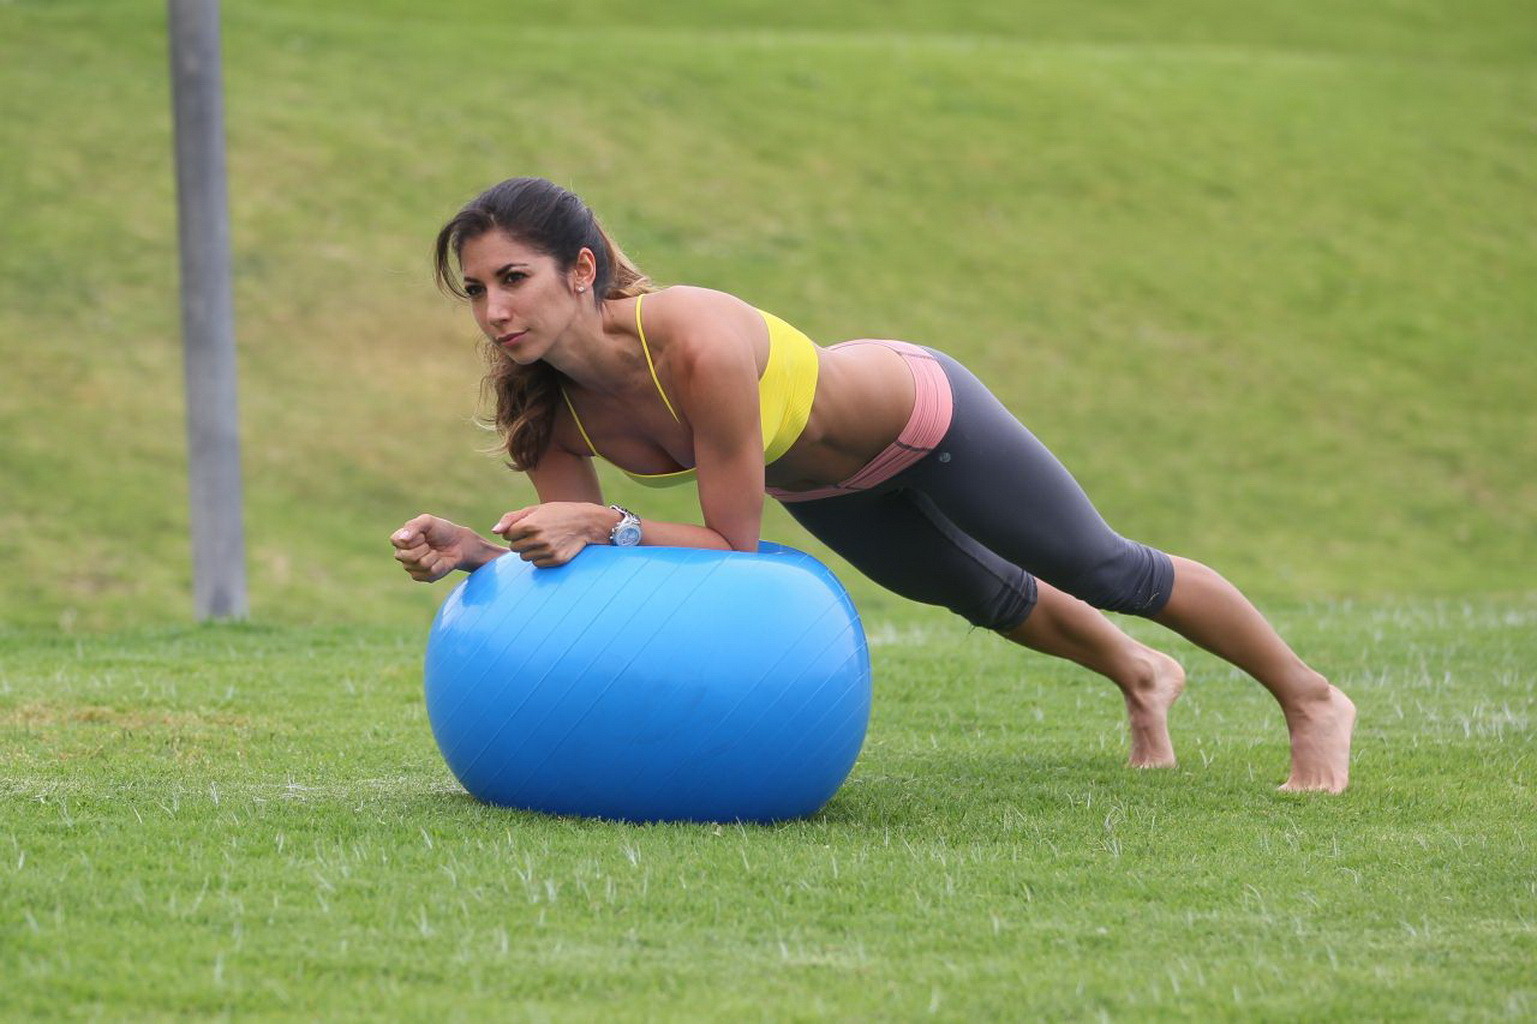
(785, 396)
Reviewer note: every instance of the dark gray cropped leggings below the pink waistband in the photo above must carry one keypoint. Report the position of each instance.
(974, 524)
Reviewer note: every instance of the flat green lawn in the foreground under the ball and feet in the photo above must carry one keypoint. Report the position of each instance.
(248, 823)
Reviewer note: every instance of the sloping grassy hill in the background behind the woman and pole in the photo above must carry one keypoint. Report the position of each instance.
(1261, 278)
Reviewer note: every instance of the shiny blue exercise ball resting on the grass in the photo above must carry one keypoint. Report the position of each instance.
(652, 685)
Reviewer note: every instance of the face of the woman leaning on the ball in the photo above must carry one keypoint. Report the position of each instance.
(522, 301)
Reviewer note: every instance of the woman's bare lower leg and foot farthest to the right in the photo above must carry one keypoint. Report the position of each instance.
(1209, 611)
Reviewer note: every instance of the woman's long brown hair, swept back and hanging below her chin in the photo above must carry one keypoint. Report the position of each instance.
(556, 222)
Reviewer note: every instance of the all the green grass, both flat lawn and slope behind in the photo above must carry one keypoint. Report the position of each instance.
(1261, 274)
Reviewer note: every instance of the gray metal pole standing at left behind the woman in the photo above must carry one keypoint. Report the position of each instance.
(208, 321)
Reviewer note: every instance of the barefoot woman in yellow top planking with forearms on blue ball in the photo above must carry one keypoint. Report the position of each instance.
(889, 453)
